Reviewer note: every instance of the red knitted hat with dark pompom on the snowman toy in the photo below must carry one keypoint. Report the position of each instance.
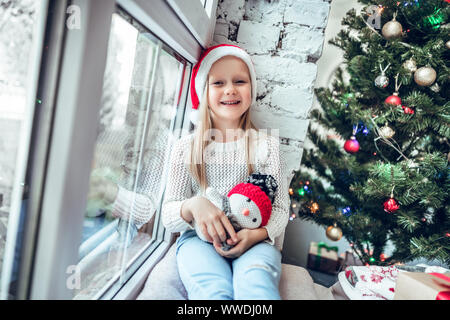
(261, 191)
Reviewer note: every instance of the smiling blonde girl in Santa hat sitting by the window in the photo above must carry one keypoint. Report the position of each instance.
(223, 150)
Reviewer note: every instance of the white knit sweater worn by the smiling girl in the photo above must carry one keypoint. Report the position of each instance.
(225, 167)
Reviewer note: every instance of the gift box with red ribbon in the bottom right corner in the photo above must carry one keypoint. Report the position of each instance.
(422, 286)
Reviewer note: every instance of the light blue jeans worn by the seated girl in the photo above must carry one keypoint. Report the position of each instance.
(207, 275)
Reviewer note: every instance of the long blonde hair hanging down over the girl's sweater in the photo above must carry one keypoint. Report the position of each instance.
(199, 143)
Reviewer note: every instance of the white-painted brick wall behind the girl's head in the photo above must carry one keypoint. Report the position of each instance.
(284, 38)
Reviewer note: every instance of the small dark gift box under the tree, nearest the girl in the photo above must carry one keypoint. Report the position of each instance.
(323, 258)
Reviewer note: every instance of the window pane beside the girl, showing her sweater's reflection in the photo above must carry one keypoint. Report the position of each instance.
(141, 86)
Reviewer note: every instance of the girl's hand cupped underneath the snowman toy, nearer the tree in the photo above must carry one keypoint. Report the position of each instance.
(246, 239)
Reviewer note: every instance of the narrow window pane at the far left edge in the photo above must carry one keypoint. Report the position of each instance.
(18, 20)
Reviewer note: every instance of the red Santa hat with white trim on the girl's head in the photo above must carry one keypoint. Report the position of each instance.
(201, 70)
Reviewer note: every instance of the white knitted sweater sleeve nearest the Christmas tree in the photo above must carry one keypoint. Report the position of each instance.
(275, 166)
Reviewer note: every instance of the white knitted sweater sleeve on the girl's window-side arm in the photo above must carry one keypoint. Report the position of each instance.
(178, 188)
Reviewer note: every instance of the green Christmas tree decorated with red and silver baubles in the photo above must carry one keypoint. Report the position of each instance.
(389, 182)
